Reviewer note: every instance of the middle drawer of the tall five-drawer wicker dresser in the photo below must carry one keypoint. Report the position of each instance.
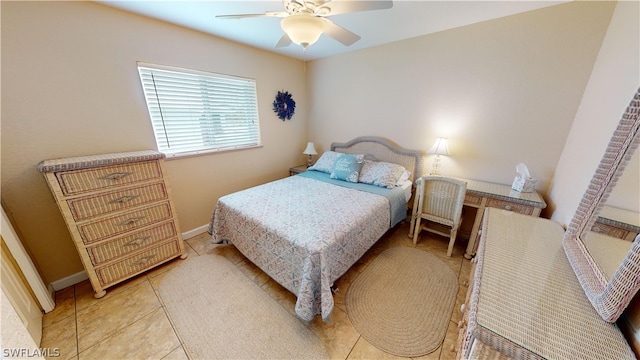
(120, 224)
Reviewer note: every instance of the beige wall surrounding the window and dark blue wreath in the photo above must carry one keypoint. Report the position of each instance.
(70, 87)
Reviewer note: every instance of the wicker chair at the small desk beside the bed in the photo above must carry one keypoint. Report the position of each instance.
(438, 200)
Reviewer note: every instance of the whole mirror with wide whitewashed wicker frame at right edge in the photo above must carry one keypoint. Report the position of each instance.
(605, 262)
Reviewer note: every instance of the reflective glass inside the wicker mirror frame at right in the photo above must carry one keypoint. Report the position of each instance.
(617, 224)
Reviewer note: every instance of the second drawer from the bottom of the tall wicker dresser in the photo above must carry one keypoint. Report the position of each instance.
(130, 243)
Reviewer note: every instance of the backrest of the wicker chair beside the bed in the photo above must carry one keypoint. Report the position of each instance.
(442, 197)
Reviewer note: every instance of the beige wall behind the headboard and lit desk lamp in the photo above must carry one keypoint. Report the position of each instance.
(503, 91)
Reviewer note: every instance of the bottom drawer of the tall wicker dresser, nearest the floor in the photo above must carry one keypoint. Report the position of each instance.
(114, 273)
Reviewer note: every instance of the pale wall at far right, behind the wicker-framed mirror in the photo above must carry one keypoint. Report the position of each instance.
(613, 82)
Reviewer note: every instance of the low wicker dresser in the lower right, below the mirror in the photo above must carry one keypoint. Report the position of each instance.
(526, 302)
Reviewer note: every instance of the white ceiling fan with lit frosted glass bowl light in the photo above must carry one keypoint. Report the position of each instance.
(303, 21)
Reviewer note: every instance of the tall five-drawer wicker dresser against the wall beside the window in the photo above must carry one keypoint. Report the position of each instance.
(119, 211)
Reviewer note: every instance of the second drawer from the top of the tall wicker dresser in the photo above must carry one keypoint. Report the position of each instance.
(90, 206)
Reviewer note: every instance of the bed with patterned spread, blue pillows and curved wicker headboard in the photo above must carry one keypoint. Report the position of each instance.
(307, 230)
